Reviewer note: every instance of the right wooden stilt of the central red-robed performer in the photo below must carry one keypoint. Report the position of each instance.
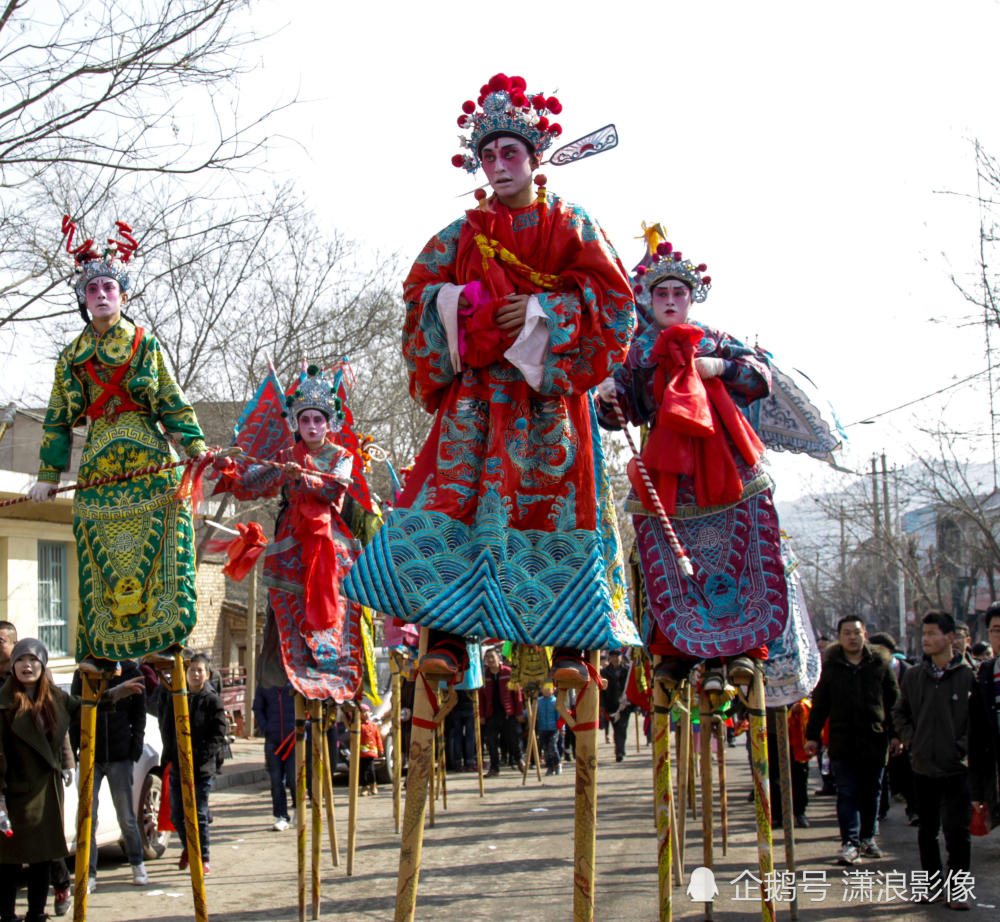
(584, 725)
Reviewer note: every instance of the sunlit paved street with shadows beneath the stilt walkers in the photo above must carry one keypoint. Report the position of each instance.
(508, 856)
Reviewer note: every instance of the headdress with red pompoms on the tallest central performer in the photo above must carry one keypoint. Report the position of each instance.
(505, 107)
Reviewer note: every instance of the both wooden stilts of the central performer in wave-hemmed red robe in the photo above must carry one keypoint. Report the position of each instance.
(428, 716)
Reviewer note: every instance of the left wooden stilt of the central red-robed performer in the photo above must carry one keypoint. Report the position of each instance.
(415, 806)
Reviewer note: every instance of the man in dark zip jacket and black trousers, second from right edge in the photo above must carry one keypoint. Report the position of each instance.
(932, 719)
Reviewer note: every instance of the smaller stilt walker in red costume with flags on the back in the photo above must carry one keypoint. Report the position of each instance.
(314, 626)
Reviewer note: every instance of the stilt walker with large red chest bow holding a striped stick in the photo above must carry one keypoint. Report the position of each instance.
(690, 385)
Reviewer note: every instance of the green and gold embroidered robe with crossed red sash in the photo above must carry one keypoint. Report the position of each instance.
(135, 540)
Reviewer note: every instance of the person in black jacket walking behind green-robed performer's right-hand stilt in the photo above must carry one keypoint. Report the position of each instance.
(208, 736)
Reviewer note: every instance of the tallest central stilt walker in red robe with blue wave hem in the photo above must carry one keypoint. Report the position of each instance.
(514, 312)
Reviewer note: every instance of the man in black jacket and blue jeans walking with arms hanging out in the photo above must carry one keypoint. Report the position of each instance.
(856, 692)
